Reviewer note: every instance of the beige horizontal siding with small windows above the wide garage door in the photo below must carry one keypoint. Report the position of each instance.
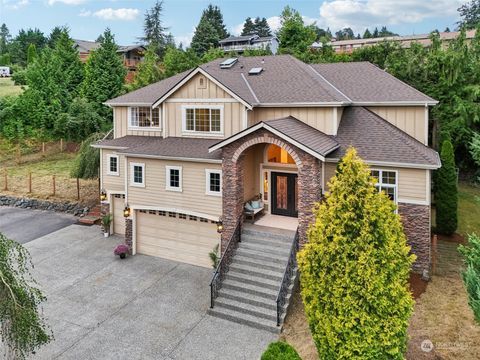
(191, 199)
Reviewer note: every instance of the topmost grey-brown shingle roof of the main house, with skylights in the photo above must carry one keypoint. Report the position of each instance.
(286, 80)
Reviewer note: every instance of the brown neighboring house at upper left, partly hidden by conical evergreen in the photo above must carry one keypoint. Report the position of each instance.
(131, 55)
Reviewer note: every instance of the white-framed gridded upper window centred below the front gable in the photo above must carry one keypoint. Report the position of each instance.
(203, 119)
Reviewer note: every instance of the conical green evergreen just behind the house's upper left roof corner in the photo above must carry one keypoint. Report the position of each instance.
(104, 74)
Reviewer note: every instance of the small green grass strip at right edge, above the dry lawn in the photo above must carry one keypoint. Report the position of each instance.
(468, 209)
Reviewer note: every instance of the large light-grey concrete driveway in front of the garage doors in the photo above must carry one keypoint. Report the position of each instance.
(101, 307)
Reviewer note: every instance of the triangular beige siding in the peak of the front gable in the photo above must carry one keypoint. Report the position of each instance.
(193, 90)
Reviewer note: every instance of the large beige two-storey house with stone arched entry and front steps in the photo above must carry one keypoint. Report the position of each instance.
(189, 151)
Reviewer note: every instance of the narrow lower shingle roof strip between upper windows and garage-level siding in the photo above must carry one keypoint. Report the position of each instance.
(174, 147)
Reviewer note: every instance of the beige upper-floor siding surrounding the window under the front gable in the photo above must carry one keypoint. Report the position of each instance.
(233, 115)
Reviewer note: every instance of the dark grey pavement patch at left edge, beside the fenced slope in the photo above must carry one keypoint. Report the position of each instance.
(24, 225)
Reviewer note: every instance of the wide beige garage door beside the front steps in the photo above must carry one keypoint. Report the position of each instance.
(174, 236)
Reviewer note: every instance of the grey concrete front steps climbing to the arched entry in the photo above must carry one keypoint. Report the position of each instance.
(249, 291)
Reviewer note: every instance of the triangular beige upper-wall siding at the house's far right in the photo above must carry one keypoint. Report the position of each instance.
(410, 119)
